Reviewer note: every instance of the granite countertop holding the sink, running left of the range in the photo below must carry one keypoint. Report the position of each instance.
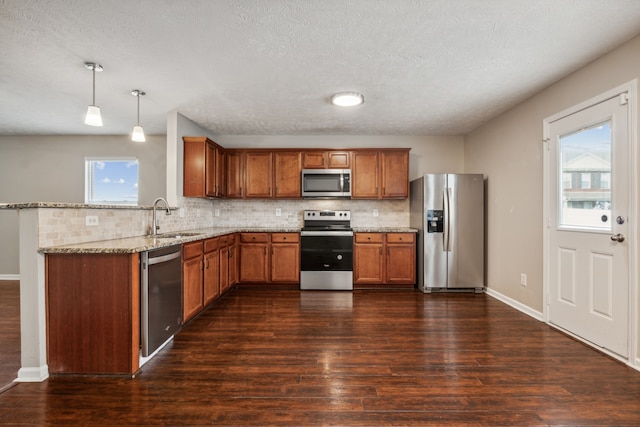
(129, 245)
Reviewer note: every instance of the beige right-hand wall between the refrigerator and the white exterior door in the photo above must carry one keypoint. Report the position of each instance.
(509, 151)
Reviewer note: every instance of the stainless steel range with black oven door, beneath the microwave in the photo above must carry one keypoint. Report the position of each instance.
(326, 245)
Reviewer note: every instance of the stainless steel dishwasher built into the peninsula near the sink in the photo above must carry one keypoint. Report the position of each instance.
(160, 296)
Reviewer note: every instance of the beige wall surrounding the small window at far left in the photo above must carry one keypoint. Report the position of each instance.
(50, 168)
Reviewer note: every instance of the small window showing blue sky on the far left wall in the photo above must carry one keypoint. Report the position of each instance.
(111, 181)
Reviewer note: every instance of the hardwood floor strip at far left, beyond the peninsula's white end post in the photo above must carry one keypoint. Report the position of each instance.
(9, 332)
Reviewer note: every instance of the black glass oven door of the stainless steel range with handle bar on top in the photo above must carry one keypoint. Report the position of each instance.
(326, 251)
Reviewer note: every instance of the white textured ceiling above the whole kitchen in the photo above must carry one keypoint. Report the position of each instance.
(268, 67)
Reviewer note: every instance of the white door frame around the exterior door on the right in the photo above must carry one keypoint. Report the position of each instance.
(632, 95)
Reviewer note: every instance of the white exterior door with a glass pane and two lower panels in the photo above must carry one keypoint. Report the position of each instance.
(587, 195)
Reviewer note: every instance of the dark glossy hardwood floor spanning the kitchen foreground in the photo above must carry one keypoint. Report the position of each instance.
(367, 358)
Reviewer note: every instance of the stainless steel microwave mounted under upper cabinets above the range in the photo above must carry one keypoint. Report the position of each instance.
(326, 183)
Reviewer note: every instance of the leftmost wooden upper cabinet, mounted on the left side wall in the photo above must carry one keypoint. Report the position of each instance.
(203, 168)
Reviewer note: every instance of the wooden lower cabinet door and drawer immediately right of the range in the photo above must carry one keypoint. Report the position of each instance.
(368, 258)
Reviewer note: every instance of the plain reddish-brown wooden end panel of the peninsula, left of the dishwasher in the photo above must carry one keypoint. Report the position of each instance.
(93, 313)
